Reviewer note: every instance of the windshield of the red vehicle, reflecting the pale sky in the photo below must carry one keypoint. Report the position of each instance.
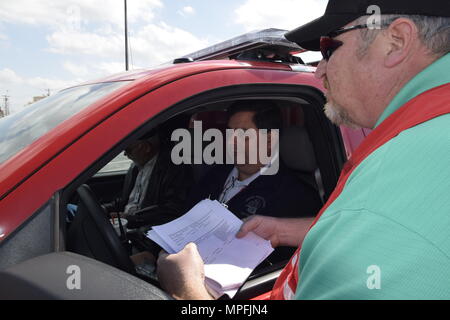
(24, 127)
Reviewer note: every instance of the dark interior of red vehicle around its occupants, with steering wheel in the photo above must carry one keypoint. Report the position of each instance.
(308, 145)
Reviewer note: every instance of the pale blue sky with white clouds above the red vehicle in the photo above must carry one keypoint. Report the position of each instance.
(52, 44)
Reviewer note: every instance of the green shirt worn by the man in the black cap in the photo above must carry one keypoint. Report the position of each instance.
(387, 236)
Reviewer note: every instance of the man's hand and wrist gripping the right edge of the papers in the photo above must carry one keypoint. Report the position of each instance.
(280, 231)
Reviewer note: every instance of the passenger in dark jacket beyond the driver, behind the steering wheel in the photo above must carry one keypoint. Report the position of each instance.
(155, 189)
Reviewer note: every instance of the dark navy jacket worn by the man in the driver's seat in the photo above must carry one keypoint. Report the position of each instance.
(280, 195)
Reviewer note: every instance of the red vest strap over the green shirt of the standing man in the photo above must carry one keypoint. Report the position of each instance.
(428, 105)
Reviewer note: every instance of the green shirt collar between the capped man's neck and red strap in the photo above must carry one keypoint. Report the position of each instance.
(434, 75)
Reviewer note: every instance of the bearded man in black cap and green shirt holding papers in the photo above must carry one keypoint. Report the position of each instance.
(385, 231)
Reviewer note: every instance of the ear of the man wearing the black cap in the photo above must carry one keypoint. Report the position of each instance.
(401, 36)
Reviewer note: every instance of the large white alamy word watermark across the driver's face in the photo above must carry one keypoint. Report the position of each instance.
(249, 146)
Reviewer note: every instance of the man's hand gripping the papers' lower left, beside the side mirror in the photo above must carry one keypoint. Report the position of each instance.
(182, 275)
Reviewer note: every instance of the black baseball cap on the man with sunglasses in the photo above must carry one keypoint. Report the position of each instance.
(340, 12)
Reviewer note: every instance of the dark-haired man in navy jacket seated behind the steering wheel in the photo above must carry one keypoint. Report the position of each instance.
(242, 187)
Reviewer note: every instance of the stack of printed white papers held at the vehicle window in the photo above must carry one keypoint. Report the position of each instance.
(228, 260)
